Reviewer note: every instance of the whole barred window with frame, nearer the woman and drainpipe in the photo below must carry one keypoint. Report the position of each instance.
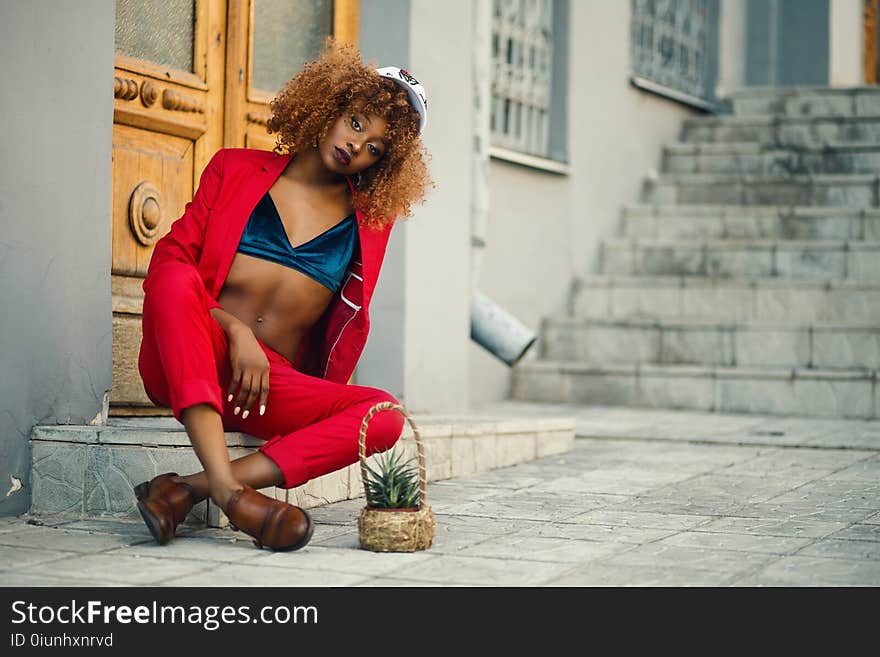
(528, 78)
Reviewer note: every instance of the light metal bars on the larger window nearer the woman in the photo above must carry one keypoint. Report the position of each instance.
(522, 62)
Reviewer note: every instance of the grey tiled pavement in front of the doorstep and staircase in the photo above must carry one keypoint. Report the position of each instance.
(646, 498)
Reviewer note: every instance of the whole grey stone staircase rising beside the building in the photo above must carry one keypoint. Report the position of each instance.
(747, 281)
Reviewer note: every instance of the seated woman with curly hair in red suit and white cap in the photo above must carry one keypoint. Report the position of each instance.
(255, 302)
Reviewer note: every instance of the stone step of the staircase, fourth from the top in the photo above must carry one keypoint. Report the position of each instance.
(853, 190)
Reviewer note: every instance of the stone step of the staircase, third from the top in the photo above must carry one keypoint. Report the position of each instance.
(760, 159)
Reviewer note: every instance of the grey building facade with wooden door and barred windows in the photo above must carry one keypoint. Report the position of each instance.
(546, 117)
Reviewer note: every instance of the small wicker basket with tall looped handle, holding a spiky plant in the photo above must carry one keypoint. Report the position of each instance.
(395, 530)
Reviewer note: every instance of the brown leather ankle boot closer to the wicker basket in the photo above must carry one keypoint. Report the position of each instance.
(272, 523)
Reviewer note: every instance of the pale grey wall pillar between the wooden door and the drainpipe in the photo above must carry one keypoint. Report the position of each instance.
(419, 339)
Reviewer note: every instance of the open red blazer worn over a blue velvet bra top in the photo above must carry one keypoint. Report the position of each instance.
(207, 234)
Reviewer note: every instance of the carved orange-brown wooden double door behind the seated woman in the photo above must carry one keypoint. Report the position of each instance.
(187, 82)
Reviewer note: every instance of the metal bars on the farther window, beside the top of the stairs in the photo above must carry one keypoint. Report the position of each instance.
(669, 44)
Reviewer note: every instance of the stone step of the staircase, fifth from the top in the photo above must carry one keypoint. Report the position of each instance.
(754, 221)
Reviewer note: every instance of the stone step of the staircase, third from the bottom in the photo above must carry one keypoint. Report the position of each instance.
(737, 299)
